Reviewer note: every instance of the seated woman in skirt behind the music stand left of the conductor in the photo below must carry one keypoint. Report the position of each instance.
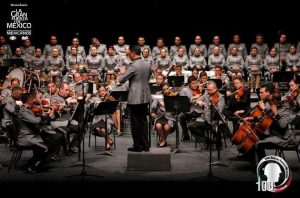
(98, 126)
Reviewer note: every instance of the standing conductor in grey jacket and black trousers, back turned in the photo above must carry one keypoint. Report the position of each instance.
(138, 74)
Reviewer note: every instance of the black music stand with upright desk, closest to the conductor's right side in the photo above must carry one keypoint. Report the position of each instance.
(176, 105)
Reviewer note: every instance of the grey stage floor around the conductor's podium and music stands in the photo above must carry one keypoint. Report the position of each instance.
(188, 166)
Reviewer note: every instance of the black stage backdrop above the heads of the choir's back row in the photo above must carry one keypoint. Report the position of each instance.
(107, 19)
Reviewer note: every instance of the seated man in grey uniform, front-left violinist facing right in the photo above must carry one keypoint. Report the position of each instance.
(29, 134)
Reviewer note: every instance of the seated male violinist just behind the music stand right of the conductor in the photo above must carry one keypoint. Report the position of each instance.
(193, 93)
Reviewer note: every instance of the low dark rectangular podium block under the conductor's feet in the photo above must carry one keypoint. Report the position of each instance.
(157, 159)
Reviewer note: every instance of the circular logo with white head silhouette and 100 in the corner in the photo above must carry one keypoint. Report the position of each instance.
(273, 174)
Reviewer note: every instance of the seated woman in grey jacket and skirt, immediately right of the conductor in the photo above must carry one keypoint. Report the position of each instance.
(164, 122)
